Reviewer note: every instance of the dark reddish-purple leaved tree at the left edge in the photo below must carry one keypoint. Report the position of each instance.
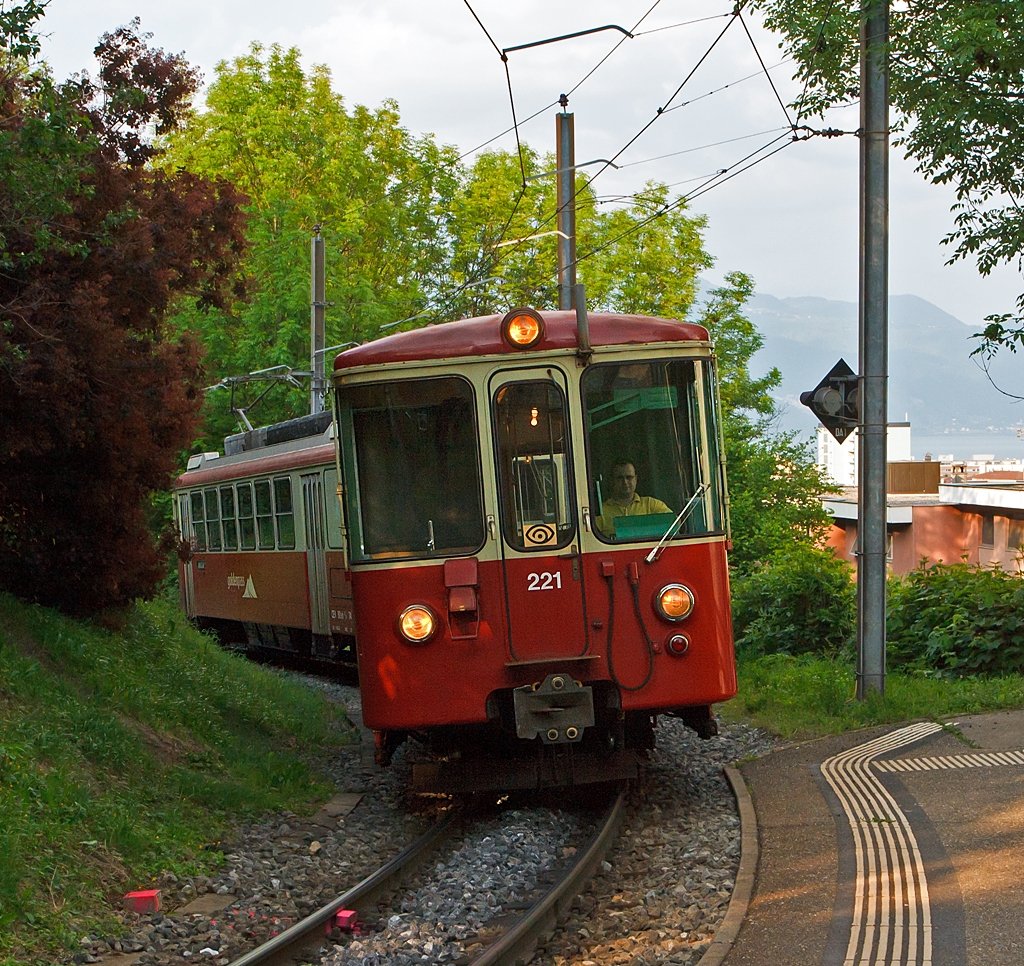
(96, 400)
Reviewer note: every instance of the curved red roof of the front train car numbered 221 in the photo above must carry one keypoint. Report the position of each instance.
(484, 338)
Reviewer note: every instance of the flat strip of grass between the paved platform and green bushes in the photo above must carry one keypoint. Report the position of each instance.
(810, 696)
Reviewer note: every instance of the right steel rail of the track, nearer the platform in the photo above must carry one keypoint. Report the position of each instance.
(522, 940)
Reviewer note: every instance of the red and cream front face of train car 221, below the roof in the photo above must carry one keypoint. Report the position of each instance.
(504, 601)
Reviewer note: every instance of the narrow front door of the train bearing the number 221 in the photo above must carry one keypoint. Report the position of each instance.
(538, 516)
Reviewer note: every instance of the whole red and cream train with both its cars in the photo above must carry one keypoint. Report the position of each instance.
(532, 536)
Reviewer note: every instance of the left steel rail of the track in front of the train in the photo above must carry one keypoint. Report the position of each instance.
(309, 934)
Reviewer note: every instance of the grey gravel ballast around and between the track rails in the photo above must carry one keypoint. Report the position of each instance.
(658, 899)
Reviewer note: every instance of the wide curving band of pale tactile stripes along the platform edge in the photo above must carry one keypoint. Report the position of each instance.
(892, 919)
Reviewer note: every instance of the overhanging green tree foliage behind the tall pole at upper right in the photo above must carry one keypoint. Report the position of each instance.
(957, 87)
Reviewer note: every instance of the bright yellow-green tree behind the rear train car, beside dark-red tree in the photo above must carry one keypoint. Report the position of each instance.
(286, 140)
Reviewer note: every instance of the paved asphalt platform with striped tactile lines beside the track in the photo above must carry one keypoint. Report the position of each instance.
(893, 846)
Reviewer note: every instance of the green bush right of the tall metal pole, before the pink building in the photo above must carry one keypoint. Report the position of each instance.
(957, 620)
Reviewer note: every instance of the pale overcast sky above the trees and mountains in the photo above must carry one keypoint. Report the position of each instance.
(791, 222)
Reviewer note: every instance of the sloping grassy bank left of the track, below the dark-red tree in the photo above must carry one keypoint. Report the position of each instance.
(126, 753)
